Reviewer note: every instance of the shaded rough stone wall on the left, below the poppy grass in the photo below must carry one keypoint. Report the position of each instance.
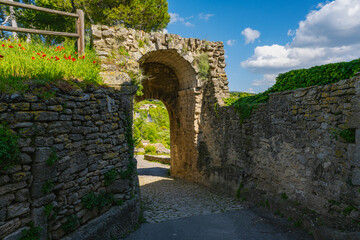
(68, 144)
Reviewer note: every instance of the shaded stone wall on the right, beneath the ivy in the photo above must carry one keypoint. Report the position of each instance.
(290, 148)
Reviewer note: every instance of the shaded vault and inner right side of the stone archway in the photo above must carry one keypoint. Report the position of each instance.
(171, 79)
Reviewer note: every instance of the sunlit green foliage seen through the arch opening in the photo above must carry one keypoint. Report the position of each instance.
(157, 131)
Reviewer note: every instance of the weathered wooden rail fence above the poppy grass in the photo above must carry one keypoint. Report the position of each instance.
(80, 25)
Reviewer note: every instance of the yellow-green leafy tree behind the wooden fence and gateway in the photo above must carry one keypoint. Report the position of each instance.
(147, 15)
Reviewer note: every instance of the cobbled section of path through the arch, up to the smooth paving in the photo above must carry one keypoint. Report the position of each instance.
(164, 198)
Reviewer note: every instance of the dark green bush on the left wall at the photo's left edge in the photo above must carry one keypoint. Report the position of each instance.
(9, 148)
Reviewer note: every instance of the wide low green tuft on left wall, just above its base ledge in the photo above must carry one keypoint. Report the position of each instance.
(92, 200)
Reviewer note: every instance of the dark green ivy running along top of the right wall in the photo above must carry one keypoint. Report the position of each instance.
(302, 78)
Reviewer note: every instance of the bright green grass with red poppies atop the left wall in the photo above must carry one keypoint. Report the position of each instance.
(23, 63)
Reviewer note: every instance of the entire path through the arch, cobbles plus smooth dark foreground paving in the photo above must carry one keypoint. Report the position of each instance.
(178, 210)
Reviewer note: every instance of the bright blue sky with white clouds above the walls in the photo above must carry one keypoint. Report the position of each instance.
(263, 38)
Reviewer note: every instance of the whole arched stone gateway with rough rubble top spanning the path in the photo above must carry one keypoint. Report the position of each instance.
(182, 73)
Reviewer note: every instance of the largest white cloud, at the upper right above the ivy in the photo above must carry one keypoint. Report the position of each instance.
(329, 34)
